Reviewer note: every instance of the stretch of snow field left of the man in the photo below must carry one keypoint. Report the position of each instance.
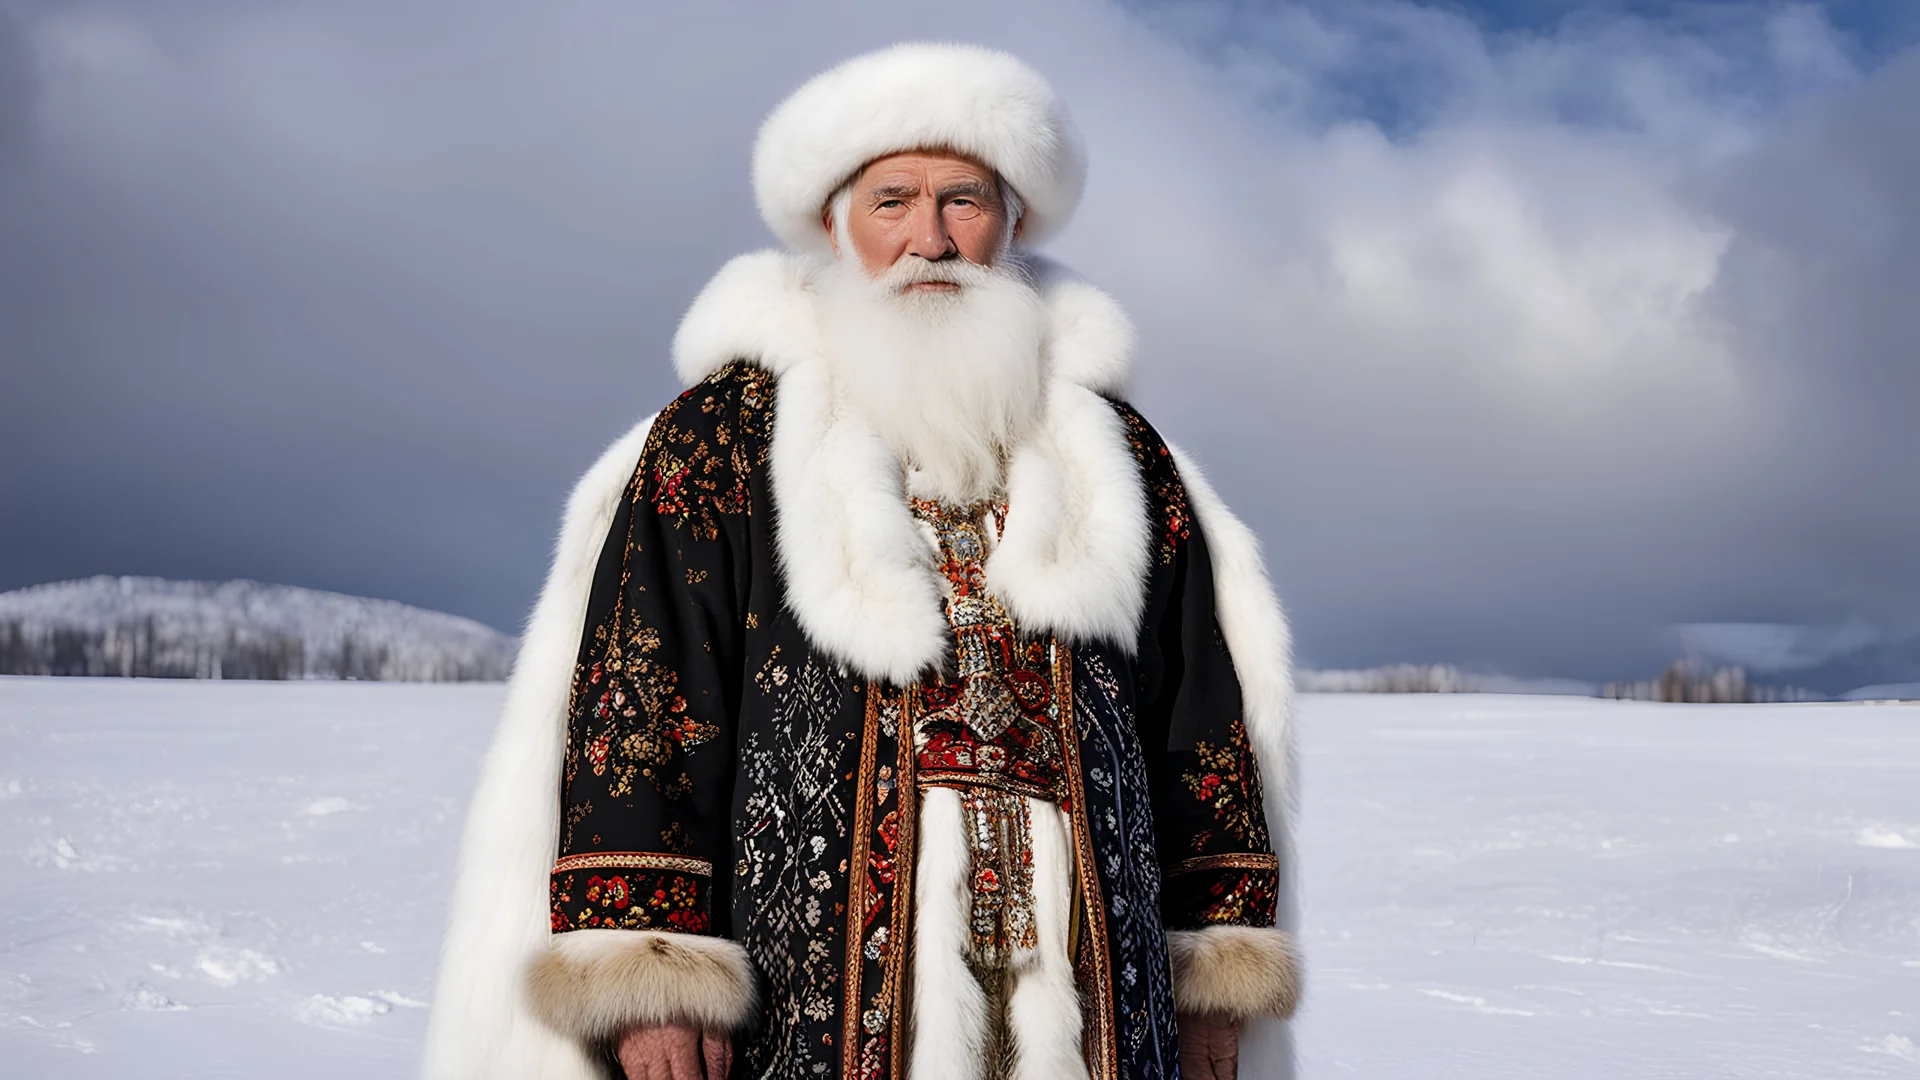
(226, 879)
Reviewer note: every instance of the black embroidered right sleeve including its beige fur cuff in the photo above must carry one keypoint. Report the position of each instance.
(1220, 862)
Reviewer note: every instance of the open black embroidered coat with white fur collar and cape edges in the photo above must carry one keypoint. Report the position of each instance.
(711, 727)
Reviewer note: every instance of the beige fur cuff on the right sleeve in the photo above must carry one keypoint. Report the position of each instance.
(1236, 971)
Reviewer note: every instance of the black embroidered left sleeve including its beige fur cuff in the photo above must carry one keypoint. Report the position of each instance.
(638, 887)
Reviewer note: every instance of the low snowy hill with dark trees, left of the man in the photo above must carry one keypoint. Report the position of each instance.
(239, 629)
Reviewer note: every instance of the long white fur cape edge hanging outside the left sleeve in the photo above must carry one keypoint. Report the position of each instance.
(481, 1023)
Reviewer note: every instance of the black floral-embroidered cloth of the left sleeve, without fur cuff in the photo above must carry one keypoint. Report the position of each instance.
(642, 704)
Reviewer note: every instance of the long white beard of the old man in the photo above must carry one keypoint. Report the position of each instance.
(953, 381)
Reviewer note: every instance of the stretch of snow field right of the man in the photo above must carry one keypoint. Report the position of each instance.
(1577, 889)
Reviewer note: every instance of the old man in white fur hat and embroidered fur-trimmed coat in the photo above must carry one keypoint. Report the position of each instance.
(900, 702)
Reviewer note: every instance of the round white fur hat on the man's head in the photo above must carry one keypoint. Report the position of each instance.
(917, 97)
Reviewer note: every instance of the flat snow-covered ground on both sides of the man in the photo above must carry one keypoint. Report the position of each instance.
(228, 879)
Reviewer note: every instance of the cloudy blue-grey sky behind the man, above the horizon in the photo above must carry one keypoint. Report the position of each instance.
(1539, 337)
